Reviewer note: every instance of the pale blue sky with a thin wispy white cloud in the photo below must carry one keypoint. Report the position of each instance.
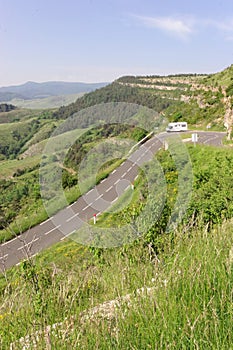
(100, 40)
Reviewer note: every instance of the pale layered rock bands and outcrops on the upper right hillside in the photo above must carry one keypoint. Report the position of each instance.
(205, 93)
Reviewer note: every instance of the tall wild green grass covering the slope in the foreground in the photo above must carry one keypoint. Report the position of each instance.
(188, 304)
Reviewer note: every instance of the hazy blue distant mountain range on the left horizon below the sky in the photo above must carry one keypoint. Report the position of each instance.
(32, 90)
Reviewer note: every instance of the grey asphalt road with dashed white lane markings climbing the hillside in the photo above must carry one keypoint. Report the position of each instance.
(70, 219)
